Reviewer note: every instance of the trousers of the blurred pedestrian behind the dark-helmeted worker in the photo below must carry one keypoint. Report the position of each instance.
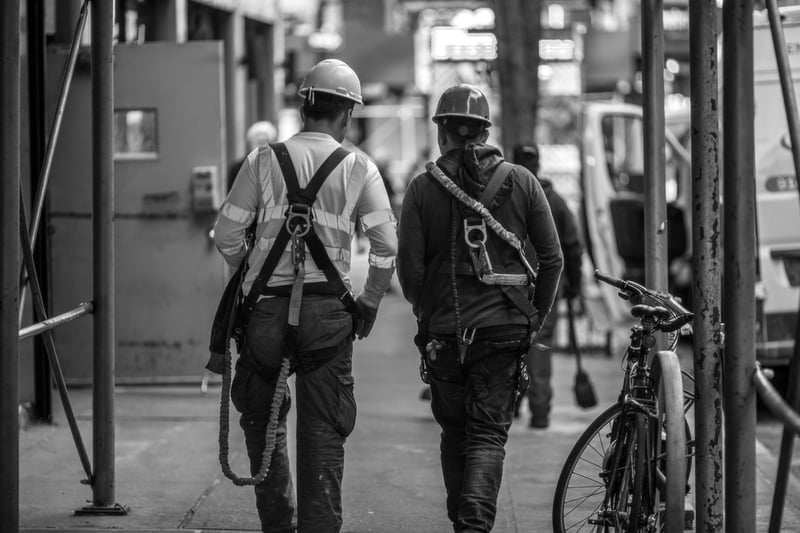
(540, 368)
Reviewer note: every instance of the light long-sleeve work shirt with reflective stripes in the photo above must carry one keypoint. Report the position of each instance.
(352, 194)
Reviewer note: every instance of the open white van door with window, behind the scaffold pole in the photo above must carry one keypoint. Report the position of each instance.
(613, 197)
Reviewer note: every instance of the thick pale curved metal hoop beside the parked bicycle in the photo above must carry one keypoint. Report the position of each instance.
(665, 491)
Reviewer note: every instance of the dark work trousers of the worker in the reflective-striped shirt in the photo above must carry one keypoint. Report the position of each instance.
(326, 413)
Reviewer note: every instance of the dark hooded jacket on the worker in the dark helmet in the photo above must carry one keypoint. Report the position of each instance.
(431, 222)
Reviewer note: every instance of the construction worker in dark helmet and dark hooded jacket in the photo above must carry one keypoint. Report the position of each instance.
(477, 300)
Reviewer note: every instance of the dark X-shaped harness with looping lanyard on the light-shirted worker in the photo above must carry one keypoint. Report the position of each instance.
(298, 228)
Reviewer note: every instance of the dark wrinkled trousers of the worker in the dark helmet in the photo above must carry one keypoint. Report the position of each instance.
(473, 403)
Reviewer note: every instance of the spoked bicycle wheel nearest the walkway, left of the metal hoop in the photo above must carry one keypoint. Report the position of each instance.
(600, 484)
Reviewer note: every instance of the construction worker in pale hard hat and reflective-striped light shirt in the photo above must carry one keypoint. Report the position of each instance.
(309, 283)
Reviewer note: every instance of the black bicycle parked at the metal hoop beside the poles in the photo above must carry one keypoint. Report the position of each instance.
(629, 470)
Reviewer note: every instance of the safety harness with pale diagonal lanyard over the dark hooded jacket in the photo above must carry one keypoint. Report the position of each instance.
(476, 217)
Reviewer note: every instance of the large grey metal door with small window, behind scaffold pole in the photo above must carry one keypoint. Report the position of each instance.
(169, 156)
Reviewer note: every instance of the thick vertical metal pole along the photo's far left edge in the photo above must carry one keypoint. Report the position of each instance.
(10, 101)
